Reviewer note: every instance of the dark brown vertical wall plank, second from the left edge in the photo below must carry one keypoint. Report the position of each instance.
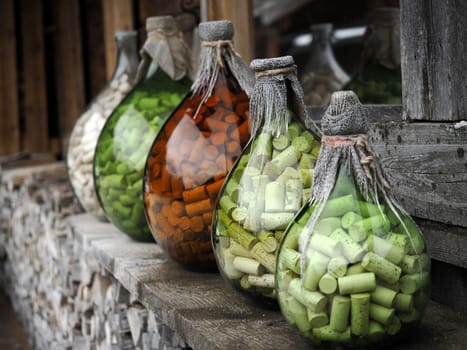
(35, 137)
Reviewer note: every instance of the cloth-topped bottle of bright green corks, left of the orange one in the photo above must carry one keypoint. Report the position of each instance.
(122, 147)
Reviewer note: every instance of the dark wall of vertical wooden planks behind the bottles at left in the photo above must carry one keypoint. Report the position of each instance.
(55, 55)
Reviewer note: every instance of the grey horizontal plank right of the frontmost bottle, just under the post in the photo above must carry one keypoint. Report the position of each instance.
(427, 165)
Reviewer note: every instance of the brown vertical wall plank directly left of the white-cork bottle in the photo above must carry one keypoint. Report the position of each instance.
(69, 71)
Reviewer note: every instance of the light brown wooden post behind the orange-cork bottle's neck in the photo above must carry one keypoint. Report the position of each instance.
(241, 15)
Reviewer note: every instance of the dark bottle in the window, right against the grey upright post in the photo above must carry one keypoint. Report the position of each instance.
(379, 77)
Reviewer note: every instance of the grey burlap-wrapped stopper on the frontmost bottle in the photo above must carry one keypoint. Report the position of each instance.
(345, 115)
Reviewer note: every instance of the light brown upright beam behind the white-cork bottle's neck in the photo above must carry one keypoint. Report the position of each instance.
(118, 15)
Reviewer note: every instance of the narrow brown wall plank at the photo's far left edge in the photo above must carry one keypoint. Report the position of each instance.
(9, 108)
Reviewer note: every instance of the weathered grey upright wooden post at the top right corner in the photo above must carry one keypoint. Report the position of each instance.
(433, 49)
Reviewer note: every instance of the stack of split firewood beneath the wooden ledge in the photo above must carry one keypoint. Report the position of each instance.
(63, 297)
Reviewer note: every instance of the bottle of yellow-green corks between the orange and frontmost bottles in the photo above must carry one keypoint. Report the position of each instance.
(268, 184)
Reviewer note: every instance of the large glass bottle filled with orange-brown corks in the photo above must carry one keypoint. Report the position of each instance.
(190, 158)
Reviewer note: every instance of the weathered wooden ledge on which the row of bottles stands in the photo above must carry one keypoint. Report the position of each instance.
(209, 314)
